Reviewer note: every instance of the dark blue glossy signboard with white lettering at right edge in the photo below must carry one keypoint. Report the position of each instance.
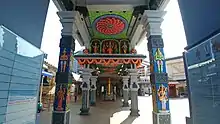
(203, 74)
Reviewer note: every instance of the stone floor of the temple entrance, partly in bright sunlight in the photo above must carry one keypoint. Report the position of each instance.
(113, 113)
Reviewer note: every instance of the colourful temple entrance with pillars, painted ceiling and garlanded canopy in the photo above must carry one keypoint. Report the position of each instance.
(110, 63)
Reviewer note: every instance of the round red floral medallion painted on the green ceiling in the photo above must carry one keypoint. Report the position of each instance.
(110, 25)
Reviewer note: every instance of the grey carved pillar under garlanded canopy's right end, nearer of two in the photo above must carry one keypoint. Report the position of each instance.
(134, 92)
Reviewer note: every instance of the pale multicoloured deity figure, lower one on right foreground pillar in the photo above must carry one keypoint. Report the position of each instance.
(162, 95)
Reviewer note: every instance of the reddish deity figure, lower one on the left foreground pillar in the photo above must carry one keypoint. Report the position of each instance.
(60, 98)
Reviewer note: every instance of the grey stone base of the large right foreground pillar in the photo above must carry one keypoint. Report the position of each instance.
(161, 118)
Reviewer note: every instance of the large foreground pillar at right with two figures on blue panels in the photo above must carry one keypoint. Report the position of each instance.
(158, 77)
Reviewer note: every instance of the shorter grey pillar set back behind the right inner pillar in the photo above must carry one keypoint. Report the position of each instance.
(125, 90)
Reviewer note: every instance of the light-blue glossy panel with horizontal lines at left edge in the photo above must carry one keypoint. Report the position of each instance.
(20, 74)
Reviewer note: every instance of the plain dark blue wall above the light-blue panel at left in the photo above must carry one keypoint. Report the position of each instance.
(25, 17)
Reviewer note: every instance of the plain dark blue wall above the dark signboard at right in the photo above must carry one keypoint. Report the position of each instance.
(200, 18)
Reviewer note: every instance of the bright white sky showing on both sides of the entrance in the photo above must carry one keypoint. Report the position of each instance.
(173, 34)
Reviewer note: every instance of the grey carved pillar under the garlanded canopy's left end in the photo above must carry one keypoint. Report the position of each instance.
(85, 91)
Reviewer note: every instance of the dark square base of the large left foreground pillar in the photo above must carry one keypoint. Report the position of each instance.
(61, 117)
